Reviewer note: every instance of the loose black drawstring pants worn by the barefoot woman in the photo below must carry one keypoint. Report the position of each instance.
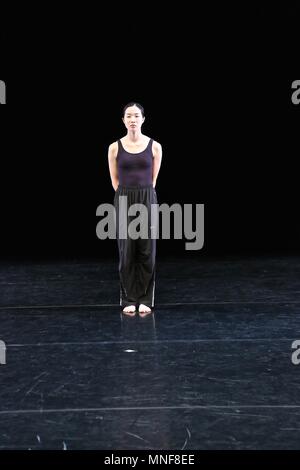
(136, 254)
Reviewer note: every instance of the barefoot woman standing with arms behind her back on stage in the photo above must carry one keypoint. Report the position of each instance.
(134, 163)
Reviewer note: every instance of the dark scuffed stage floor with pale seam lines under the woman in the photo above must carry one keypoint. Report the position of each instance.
(211, 368)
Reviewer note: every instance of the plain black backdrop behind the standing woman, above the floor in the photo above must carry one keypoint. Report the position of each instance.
(216, 87)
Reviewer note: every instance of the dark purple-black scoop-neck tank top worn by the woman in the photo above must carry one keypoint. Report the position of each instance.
(135, 169)
